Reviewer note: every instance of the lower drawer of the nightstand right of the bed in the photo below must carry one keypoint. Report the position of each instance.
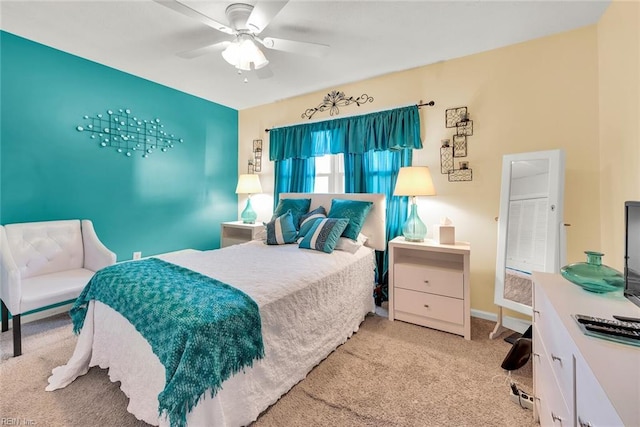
(428, 305)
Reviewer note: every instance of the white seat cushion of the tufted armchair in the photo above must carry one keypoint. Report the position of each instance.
(47, 289)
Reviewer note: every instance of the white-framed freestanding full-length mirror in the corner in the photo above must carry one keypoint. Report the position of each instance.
(530, 230)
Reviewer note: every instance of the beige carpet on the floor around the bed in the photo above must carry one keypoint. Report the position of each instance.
(388, 374)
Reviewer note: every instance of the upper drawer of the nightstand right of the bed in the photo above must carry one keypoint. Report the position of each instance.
(434, 280)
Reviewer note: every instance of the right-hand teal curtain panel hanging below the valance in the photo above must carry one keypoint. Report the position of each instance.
(377, 172)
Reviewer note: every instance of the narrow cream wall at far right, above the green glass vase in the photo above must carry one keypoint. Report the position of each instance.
(619, 82)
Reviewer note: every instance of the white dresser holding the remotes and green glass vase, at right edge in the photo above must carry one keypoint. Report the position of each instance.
(581, 380)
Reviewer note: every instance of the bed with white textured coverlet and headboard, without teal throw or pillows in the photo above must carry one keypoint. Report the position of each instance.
(310, 302)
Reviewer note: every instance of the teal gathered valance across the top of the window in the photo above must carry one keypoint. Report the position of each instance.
(385, 130)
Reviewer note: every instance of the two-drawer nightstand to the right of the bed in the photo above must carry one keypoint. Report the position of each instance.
(429, 285)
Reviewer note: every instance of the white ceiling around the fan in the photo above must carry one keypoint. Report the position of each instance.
(367, 38)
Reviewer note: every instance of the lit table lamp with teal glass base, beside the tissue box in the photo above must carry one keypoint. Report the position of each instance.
(414, 181)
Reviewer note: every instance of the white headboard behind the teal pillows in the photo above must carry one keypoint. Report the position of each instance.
(375, 224)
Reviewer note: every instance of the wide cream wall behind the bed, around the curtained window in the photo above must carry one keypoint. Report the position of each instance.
(537, 95)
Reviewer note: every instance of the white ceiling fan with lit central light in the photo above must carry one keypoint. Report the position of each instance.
(245, 23)
